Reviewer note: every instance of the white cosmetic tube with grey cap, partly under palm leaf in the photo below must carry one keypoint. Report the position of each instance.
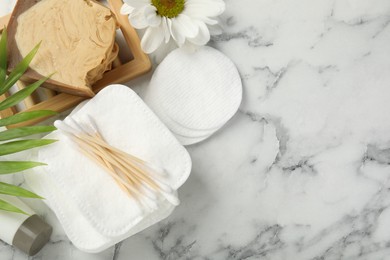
(29, 233)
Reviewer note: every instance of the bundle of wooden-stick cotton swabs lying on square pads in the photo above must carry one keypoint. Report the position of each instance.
(138, 178)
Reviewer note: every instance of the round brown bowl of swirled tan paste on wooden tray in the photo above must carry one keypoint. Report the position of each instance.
(77, 42)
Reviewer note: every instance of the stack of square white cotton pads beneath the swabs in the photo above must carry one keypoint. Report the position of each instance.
(94, 212)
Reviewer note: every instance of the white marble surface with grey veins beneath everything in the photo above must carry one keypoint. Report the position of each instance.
(303, 170)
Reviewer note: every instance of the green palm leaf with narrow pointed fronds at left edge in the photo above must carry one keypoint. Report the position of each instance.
(16, 146)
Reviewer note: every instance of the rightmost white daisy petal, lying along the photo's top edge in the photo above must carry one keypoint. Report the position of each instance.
(204, 8)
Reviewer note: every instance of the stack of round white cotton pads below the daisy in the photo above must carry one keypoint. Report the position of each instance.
(194, 93)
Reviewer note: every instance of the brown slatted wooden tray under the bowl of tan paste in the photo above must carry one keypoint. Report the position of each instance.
(122, 71)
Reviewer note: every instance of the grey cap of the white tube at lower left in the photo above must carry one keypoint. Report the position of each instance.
(32, 235)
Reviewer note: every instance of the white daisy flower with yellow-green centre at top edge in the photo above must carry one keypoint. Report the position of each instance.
(186, 21)
